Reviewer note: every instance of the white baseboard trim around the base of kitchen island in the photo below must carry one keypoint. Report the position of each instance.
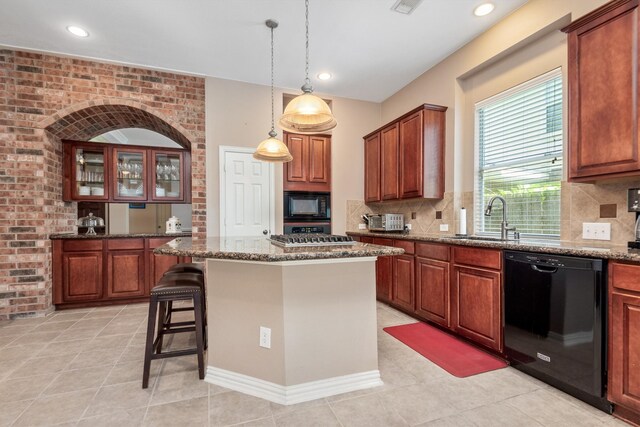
(289, 395)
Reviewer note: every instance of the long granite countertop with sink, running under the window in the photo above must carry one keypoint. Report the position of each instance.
(594, 250)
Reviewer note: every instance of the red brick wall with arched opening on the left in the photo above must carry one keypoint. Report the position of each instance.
(46, 98)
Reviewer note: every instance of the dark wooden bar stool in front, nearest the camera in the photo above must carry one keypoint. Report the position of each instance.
(175, 287)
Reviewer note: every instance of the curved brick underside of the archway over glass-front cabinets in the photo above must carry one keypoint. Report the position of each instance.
(88, 120)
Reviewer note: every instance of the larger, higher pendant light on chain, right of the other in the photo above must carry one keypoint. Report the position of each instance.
(307, 113)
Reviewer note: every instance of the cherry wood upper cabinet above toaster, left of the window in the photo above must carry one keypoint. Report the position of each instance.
(405, 158)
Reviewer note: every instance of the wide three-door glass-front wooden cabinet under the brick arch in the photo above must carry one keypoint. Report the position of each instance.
(117, 173)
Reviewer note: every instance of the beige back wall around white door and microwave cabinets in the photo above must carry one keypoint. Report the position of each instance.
(239, 114)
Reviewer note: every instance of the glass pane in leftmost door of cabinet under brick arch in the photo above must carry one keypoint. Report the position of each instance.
(89, 173)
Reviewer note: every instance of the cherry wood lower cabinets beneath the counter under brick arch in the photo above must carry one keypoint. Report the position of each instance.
(102, 271)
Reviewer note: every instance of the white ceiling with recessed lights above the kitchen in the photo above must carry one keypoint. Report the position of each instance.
(371, 50)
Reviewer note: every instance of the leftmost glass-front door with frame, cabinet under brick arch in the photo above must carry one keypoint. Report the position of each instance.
(90, 176)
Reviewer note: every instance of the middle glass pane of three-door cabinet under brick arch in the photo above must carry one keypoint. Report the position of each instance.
(130, 170)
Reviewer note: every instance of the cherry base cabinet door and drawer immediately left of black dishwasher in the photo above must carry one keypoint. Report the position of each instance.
(476, 297)
